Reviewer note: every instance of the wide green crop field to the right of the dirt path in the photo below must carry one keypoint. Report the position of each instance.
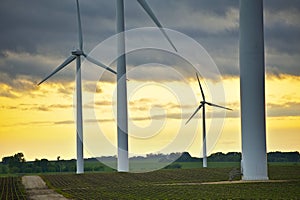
(176, 184)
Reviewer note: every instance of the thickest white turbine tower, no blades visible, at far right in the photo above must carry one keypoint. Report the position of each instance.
(252, 86)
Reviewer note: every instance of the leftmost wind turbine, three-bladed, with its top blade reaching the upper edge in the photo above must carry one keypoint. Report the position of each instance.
(76, 54)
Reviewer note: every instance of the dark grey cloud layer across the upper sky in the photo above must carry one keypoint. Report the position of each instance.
(37, 35)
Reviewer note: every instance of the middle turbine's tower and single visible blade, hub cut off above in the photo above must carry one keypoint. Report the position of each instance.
(122, 112)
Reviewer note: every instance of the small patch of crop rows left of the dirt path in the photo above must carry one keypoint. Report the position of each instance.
(11, 188)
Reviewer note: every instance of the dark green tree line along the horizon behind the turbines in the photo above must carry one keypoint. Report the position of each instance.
(18, 164)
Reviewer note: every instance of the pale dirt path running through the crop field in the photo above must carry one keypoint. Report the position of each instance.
(36, 189)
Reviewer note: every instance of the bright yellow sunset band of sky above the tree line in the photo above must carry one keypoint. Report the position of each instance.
(40, 123)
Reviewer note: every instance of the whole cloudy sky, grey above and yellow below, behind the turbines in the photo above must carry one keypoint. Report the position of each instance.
(36, 36)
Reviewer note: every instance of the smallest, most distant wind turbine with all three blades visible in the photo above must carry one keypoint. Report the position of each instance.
(202, 105)
